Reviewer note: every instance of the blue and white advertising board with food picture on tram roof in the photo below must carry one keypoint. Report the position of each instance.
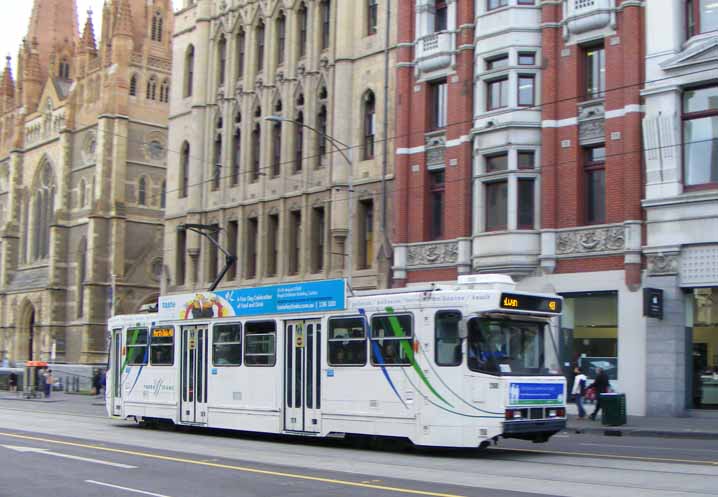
(311, 296)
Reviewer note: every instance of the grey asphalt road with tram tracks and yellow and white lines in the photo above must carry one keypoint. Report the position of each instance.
(36, 440)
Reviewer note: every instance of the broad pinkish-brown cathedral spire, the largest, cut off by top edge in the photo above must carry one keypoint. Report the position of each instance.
(53, 24)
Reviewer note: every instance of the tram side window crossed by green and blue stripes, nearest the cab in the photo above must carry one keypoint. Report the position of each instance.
(391, 340)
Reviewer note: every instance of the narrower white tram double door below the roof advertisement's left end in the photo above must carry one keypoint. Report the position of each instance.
(193, 405)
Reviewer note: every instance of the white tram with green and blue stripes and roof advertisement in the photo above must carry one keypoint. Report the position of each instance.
(454, 365)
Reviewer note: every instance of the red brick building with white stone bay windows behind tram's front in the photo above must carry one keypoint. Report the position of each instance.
(519, 151)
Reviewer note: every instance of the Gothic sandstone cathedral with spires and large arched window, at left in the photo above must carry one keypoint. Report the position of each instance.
(83, 135)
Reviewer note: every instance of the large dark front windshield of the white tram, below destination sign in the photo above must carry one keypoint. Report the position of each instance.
(509, 347)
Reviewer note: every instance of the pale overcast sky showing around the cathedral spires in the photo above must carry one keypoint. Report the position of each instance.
(16, 15)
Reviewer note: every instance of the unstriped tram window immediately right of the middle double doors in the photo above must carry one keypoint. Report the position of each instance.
(346, 342)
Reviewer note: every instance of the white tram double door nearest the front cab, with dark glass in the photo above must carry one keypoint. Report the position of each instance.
(302, 375)
